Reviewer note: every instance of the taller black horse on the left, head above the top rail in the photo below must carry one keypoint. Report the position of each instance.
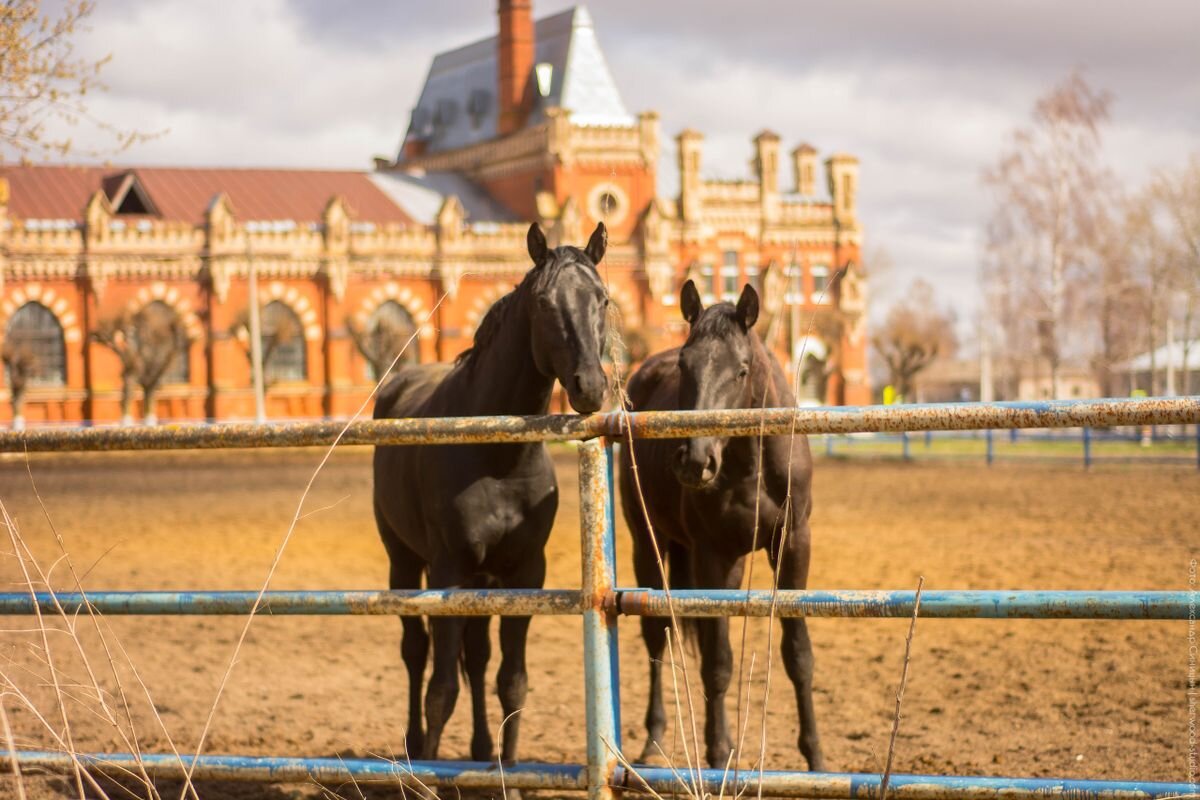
(478, 516)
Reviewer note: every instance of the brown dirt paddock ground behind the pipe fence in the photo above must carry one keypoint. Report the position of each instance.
(1028, 699)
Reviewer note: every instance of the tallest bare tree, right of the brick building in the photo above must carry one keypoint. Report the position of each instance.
(1049, 188)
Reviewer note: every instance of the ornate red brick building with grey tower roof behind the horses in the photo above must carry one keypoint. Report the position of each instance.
(524, 127)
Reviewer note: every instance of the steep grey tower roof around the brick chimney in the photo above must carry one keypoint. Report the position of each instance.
(459, 106)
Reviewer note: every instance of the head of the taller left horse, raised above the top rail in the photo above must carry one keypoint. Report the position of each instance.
(568, 317)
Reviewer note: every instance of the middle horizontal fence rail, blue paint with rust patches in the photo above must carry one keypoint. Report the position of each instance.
(638, 603)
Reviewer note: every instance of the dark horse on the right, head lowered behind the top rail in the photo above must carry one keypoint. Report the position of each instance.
(704, 500)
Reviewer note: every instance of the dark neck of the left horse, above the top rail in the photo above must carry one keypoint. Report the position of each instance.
(503, 377)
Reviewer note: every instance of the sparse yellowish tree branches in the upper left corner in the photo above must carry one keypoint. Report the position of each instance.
(45, 86)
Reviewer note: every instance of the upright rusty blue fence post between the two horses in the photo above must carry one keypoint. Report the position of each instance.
(599, 623)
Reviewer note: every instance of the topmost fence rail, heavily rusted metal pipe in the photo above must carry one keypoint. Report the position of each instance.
(650, 425)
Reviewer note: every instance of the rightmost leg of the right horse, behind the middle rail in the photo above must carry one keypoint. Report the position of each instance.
(797, 648)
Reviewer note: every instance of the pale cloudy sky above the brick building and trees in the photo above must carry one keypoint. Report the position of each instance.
(923, 92)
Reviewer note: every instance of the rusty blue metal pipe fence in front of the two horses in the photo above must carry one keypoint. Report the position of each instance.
(601, 603)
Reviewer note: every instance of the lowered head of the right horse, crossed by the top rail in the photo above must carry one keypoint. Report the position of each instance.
(716, 369)
